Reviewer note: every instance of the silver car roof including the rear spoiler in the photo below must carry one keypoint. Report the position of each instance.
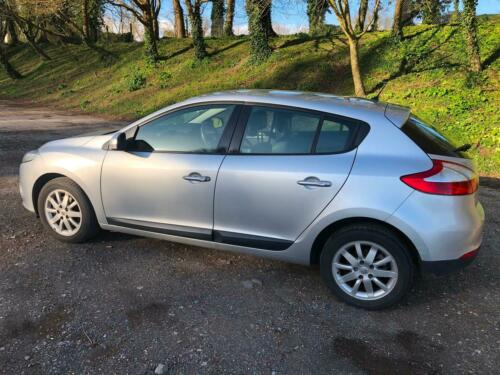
(353, 107)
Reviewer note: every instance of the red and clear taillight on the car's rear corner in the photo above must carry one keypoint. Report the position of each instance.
(444, 178)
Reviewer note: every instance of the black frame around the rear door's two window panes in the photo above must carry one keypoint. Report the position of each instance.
(362, 129)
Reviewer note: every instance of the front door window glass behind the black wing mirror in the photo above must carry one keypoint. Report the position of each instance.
(196, 129)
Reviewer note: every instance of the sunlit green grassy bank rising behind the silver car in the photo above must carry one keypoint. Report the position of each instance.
(427, 71)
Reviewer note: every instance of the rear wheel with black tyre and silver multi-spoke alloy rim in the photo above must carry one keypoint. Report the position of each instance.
(378, 278)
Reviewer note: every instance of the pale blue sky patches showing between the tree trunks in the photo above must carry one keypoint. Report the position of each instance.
(289, 16)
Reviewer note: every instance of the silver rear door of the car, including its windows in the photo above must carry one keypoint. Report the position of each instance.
(285, 165)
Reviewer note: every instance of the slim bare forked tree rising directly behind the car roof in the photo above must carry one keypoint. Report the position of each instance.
(341, 9)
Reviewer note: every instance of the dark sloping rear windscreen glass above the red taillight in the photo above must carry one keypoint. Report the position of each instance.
(429, 139)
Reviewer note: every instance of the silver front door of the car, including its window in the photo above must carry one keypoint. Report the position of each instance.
(164, 181)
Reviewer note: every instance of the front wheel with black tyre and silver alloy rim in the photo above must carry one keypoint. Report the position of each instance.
(66, 211)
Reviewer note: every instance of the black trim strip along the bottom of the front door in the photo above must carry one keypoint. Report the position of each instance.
(199, 234)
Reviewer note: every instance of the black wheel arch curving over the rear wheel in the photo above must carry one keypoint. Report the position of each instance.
(323, 236)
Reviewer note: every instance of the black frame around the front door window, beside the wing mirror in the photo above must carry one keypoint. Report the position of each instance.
(227, 134)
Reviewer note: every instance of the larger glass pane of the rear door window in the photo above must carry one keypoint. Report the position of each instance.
(279, 131)
